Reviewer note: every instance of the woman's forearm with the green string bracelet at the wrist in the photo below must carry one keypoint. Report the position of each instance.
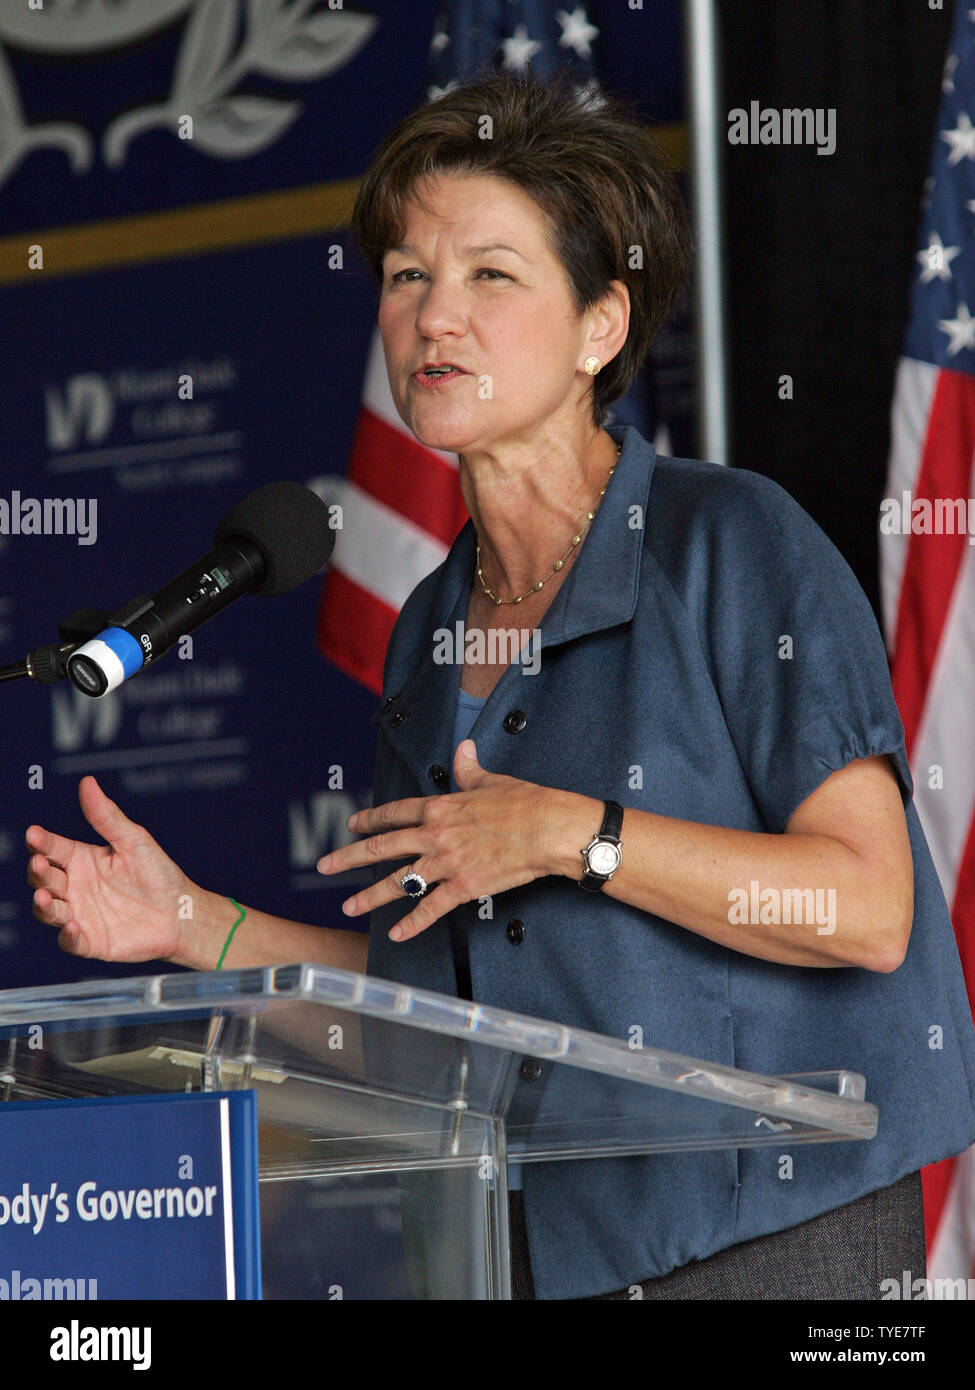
(262, 939)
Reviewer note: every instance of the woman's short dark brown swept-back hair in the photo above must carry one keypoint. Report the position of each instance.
(592, 166)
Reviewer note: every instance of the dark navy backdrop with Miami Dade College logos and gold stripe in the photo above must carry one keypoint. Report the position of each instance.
(229, 279)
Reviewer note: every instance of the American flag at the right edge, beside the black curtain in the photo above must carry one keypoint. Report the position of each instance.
(928, 569)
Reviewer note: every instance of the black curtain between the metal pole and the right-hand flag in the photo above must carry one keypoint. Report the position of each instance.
(821, 248)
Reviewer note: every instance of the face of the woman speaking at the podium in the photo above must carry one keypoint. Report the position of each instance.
(504, 316)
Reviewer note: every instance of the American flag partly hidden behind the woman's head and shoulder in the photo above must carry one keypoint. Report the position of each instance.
(403, 504)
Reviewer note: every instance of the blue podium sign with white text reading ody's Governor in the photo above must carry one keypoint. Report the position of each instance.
(130, 1197)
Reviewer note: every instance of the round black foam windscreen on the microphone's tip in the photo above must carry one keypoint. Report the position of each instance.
(289, 523)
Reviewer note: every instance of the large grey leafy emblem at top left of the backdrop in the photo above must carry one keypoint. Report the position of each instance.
(223, 44)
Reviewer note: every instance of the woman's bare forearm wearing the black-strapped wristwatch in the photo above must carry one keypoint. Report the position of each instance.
(731, 886)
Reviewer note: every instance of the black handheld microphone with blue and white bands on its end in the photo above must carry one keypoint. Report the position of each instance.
(269, 543)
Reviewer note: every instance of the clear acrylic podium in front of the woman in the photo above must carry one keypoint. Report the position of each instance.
(389, 1115)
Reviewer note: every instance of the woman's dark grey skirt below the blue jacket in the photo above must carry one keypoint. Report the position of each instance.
(845, 1253)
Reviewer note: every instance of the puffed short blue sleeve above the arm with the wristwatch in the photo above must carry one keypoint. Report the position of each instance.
(798, 657)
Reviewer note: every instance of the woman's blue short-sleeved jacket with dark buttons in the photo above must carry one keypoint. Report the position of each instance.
(664, 686)
